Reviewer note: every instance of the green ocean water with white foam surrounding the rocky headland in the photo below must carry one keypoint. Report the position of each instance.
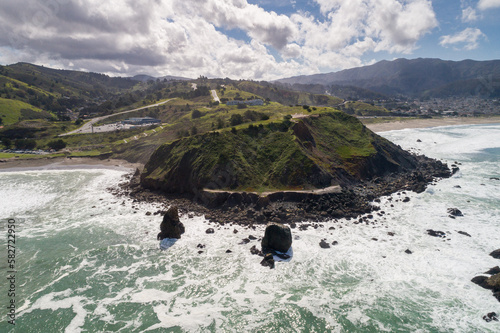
(87, 261)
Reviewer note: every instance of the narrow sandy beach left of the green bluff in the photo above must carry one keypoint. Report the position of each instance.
(62, 163)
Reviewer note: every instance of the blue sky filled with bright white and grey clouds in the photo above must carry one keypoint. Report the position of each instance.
(242, 39)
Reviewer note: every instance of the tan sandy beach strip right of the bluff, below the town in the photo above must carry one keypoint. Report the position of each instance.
(434, 122)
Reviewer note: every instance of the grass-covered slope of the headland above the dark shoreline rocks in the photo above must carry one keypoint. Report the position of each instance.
(315, 152)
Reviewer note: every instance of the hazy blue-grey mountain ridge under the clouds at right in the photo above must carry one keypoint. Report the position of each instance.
(416, 78)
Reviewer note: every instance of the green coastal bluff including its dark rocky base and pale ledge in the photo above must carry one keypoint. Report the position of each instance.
(266, 165)
